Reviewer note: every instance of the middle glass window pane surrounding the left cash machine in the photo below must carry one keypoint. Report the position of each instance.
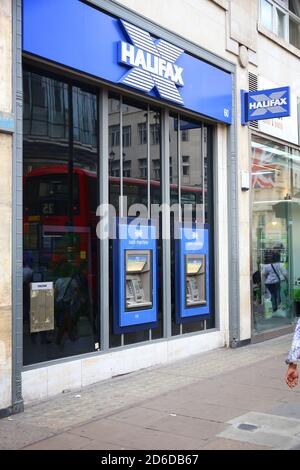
(133, 176)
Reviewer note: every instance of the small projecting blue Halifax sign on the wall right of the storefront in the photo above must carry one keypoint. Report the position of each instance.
(265, 104)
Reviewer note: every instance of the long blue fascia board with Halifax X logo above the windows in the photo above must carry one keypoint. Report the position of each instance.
(79, 36)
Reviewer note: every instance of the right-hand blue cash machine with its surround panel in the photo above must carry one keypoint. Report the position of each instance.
(192, 274)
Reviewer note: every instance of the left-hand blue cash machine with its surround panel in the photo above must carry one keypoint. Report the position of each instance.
(135, 277)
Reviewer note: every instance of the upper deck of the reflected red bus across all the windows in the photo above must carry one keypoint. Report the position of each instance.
(54, 197)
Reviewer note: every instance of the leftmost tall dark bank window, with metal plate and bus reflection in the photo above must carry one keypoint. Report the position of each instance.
(61, 311)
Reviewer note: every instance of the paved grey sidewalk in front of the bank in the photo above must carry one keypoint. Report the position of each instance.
(224, 399)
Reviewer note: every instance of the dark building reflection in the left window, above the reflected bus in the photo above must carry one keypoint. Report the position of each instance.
(46, 121)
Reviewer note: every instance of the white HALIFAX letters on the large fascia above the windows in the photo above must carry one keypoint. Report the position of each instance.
(135, 57)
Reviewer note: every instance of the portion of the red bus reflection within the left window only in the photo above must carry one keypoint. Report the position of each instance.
(60, 214)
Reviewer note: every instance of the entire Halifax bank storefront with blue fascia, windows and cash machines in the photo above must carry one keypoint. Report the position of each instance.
(116, 110)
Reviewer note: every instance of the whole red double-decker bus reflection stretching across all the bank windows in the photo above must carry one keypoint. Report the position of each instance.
(60, 211)
